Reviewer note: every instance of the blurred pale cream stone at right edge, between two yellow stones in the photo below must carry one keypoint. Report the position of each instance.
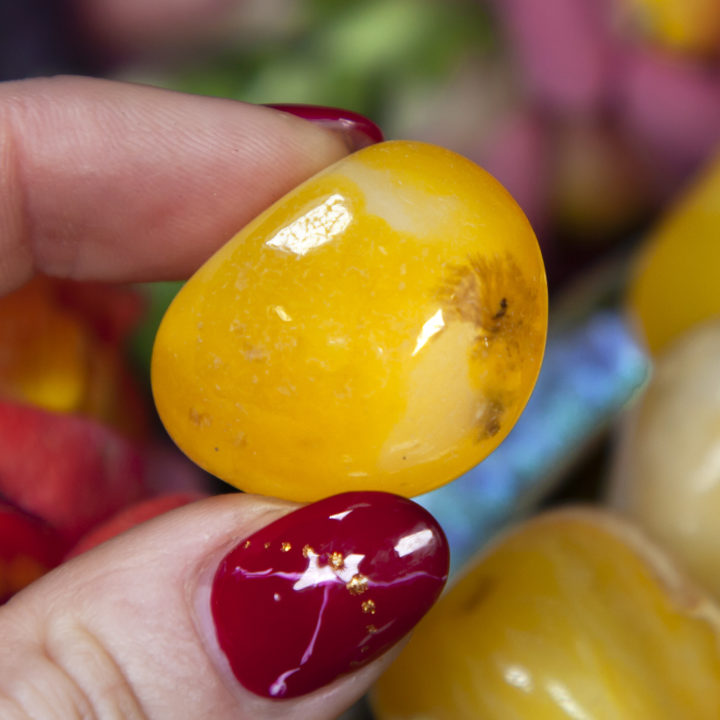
(666, 474)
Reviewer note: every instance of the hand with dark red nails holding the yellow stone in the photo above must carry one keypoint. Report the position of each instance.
(115, 182)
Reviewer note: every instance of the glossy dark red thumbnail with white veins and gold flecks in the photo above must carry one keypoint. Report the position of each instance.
(325, 590)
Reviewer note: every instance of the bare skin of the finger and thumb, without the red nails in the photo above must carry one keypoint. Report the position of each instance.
(108, 181)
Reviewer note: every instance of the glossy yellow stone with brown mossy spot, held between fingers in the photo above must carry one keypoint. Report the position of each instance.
(379, 327)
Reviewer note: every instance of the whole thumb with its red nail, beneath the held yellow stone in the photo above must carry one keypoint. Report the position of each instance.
(233, 607)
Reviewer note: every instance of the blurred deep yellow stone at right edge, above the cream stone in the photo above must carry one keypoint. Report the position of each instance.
(676, 280)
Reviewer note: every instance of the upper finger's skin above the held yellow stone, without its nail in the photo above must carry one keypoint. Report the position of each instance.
(110, 181)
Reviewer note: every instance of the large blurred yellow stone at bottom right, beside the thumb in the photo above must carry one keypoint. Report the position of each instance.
(573, 616)
